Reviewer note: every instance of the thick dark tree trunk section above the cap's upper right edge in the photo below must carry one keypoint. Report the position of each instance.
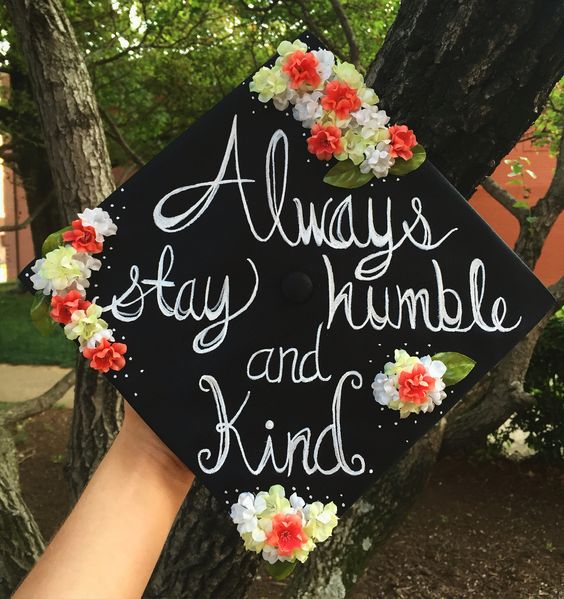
(470, 77)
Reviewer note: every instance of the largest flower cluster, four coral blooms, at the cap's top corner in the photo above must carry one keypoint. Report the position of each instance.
(331, 99)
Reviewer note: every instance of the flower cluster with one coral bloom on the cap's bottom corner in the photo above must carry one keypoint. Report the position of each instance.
(283, 529)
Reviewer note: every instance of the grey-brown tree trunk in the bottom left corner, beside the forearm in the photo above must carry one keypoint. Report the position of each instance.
(21, 542)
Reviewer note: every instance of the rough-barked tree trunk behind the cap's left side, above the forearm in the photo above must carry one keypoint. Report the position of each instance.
(82, 177)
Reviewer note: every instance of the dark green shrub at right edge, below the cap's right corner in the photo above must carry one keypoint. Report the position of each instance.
(544, 421)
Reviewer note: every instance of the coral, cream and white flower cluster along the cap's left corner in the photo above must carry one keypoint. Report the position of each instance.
(63, 274)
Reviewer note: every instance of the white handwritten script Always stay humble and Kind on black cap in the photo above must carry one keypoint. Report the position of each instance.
(331, 224)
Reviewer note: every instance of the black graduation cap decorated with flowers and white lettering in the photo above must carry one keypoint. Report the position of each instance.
(288, 305)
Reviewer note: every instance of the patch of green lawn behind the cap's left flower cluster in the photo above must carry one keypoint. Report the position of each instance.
(20, 342)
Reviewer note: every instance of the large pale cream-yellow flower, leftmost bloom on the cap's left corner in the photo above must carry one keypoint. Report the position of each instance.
(61, 270)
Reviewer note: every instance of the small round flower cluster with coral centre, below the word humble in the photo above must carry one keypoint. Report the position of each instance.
(410, 384)
